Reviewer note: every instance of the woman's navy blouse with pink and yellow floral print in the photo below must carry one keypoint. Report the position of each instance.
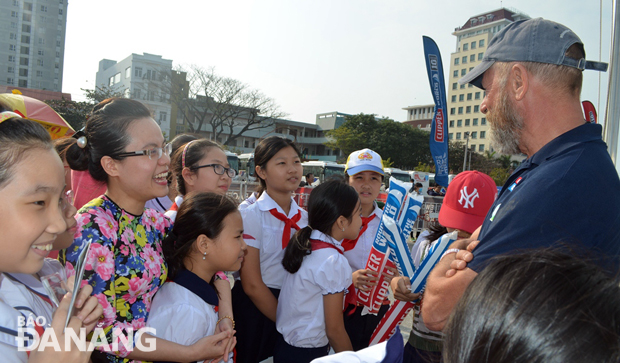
(125, 264)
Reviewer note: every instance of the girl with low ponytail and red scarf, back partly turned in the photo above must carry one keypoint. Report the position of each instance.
(309, 314)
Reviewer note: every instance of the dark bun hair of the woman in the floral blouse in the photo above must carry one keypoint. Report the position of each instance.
(106, 134)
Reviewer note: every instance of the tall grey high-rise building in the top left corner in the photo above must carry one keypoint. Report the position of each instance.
(32, 43)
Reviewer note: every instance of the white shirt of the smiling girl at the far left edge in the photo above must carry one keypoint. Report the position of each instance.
(13, 306)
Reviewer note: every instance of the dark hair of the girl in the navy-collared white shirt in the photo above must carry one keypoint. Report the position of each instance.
(200, 213)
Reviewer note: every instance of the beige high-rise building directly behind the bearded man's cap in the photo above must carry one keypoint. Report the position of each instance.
(465, 118)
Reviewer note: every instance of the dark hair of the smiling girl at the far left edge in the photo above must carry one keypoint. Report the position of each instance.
(17, 136)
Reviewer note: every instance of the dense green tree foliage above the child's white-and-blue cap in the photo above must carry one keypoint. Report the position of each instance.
(403, 145)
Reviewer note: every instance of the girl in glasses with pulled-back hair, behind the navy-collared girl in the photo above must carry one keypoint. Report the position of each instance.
(201, 166)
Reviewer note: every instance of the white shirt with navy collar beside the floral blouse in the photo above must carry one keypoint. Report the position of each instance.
(184, 311)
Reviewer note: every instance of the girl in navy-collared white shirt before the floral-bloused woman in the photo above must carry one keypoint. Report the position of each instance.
(207, 237)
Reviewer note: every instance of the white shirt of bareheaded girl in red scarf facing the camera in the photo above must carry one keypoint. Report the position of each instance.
(264, 231)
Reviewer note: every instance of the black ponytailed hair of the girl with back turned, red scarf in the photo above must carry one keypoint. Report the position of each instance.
(328, 201)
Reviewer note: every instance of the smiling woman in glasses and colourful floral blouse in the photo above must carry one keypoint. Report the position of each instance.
(123, 146)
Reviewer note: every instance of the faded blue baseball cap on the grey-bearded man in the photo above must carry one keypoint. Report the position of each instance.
(533, 40)
